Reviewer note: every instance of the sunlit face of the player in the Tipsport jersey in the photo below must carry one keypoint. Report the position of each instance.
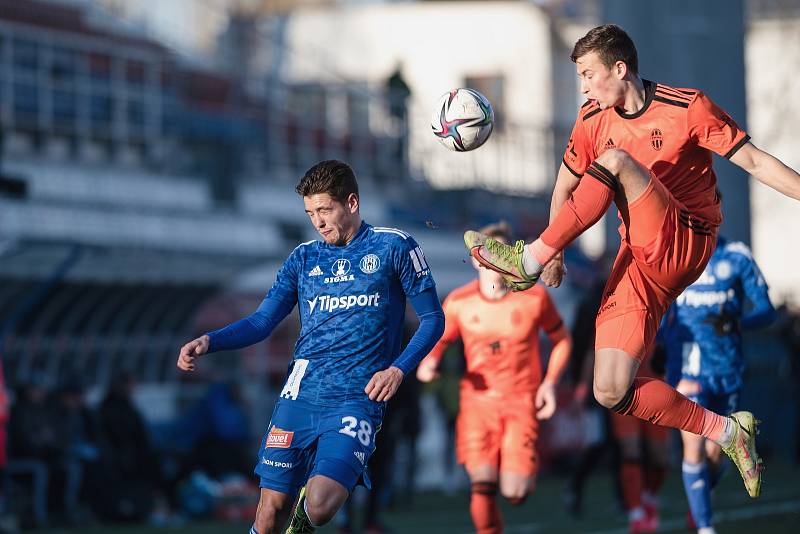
(337, 223)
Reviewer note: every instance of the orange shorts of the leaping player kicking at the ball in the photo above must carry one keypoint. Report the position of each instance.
(664, 249)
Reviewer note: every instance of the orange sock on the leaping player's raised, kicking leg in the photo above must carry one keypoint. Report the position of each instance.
(587, 204)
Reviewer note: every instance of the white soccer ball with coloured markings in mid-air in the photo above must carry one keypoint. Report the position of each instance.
(463, 119)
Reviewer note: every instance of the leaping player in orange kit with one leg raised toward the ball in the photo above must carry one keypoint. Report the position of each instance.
(647, 147)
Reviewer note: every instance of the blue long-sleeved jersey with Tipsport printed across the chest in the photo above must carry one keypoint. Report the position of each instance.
(352, 302)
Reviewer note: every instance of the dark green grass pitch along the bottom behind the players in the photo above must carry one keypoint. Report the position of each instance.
(777, 511)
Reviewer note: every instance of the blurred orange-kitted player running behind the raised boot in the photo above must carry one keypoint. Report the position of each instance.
(503, 394)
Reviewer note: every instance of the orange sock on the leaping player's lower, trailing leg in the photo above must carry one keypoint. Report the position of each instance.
(655, 401)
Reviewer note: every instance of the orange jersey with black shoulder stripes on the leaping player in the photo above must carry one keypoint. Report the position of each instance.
(673, 135)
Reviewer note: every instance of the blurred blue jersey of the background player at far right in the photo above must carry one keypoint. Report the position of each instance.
(700, 331)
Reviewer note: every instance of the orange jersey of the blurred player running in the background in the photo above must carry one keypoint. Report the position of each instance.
(501, 337)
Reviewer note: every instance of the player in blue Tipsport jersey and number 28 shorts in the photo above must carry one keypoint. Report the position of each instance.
(350, 289)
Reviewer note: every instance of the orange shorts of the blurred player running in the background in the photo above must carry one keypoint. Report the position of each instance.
(497, 431)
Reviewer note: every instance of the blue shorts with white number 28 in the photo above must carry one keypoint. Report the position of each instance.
(304, 440)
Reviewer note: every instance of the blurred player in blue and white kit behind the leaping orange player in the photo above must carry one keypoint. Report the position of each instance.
(701, 334)
